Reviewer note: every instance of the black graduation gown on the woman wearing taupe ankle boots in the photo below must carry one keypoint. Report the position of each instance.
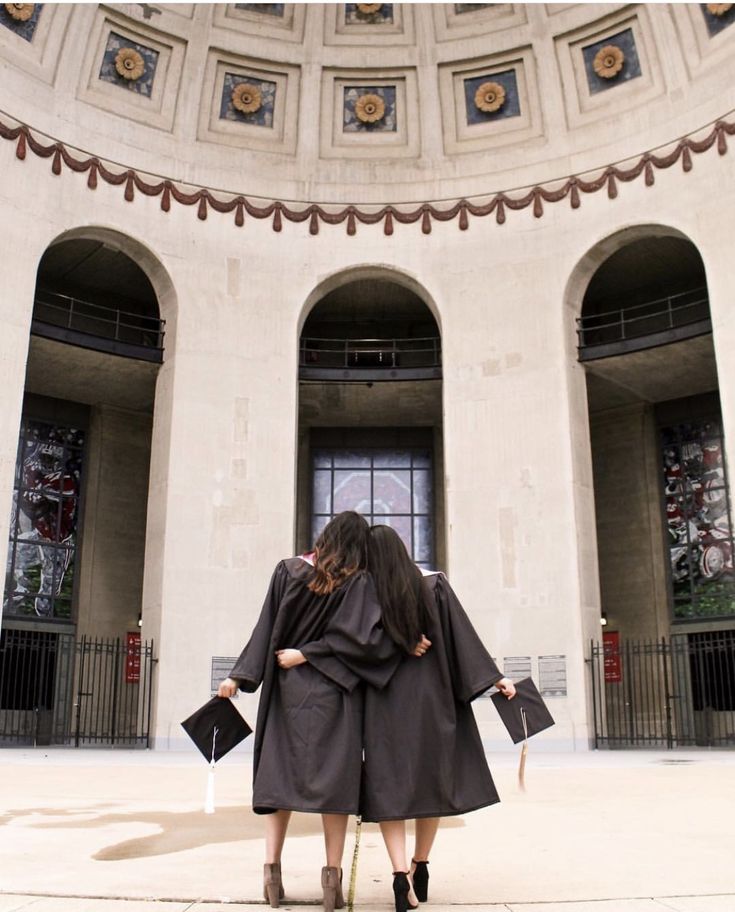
(308, 734)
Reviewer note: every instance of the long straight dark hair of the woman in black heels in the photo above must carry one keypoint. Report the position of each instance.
(402, 591)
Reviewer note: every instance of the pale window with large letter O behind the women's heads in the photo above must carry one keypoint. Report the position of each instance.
(389, 486)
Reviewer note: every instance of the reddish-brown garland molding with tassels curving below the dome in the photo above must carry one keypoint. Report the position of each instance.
(571, 187)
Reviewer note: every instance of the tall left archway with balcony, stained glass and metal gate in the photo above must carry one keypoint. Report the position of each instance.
(71, 667)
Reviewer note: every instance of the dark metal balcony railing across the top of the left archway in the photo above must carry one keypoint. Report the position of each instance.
(98, 326)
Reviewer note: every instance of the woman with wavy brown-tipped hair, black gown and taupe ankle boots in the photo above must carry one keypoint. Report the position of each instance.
(308, 735)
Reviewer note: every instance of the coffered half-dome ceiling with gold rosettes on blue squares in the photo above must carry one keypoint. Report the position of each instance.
(365, 103)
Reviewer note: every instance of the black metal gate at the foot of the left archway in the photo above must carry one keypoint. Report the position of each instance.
(56, 689)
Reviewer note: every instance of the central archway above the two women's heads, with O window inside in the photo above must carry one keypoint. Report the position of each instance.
(370, 417)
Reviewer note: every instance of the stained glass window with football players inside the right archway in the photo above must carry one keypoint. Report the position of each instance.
(700, 543)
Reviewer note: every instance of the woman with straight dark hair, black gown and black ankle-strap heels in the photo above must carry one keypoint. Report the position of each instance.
(423, 754)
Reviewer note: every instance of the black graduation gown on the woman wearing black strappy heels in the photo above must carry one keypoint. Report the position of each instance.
(423, 753)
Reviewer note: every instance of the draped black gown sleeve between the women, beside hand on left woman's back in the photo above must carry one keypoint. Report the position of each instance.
(354, 646)
